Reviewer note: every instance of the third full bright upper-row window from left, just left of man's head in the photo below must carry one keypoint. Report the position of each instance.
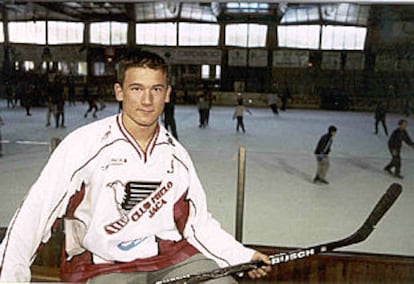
(109, 33)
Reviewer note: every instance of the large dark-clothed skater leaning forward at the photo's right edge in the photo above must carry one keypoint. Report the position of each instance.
(394, 145)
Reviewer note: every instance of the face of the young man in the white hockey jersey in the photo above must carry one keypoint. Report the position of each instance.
(143, 94)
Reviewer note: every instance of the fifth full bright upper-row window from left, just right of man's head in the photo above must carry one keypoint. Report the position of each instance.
(198, 34)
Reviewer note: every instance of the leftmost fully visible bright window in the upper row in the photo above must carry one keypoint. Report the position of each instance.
(27, 32)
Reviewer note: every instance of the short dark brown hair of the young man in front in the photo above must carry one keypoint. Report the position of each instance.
(140, 58)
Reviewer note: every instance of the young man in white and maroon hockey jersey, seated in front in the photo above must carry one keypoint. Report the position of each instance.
(132, 204)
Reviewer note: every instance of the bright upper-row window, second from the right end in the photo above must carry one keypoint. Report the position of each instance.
(299, 36)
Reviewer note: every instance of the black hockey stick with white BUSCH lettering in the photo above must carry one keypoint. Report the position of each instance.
(385, 203)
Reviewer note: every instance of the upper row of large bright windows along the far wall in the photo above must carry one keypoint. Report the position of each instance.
(190, 34)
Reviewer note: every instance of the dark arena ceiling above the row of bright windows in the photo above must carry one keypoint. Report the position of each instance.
(204, 11)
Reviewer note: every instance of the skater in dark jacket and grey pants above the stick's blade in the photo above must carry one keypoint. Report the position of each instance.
(322, 151)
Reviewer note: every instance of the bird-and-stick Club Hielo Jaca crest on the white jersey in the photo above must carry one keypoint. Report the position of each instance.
(131, 200)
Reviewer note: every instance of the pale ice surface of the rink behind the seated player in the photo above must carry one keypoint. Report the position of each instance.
(282, 205)
